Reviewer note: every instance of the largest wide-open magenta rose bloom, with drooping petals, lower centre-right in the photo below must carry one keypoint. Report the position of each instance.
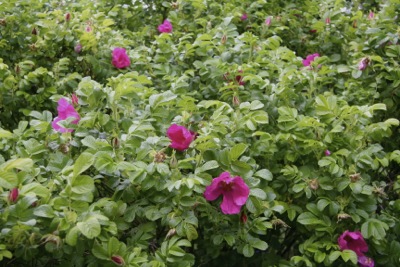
(234, 191)
